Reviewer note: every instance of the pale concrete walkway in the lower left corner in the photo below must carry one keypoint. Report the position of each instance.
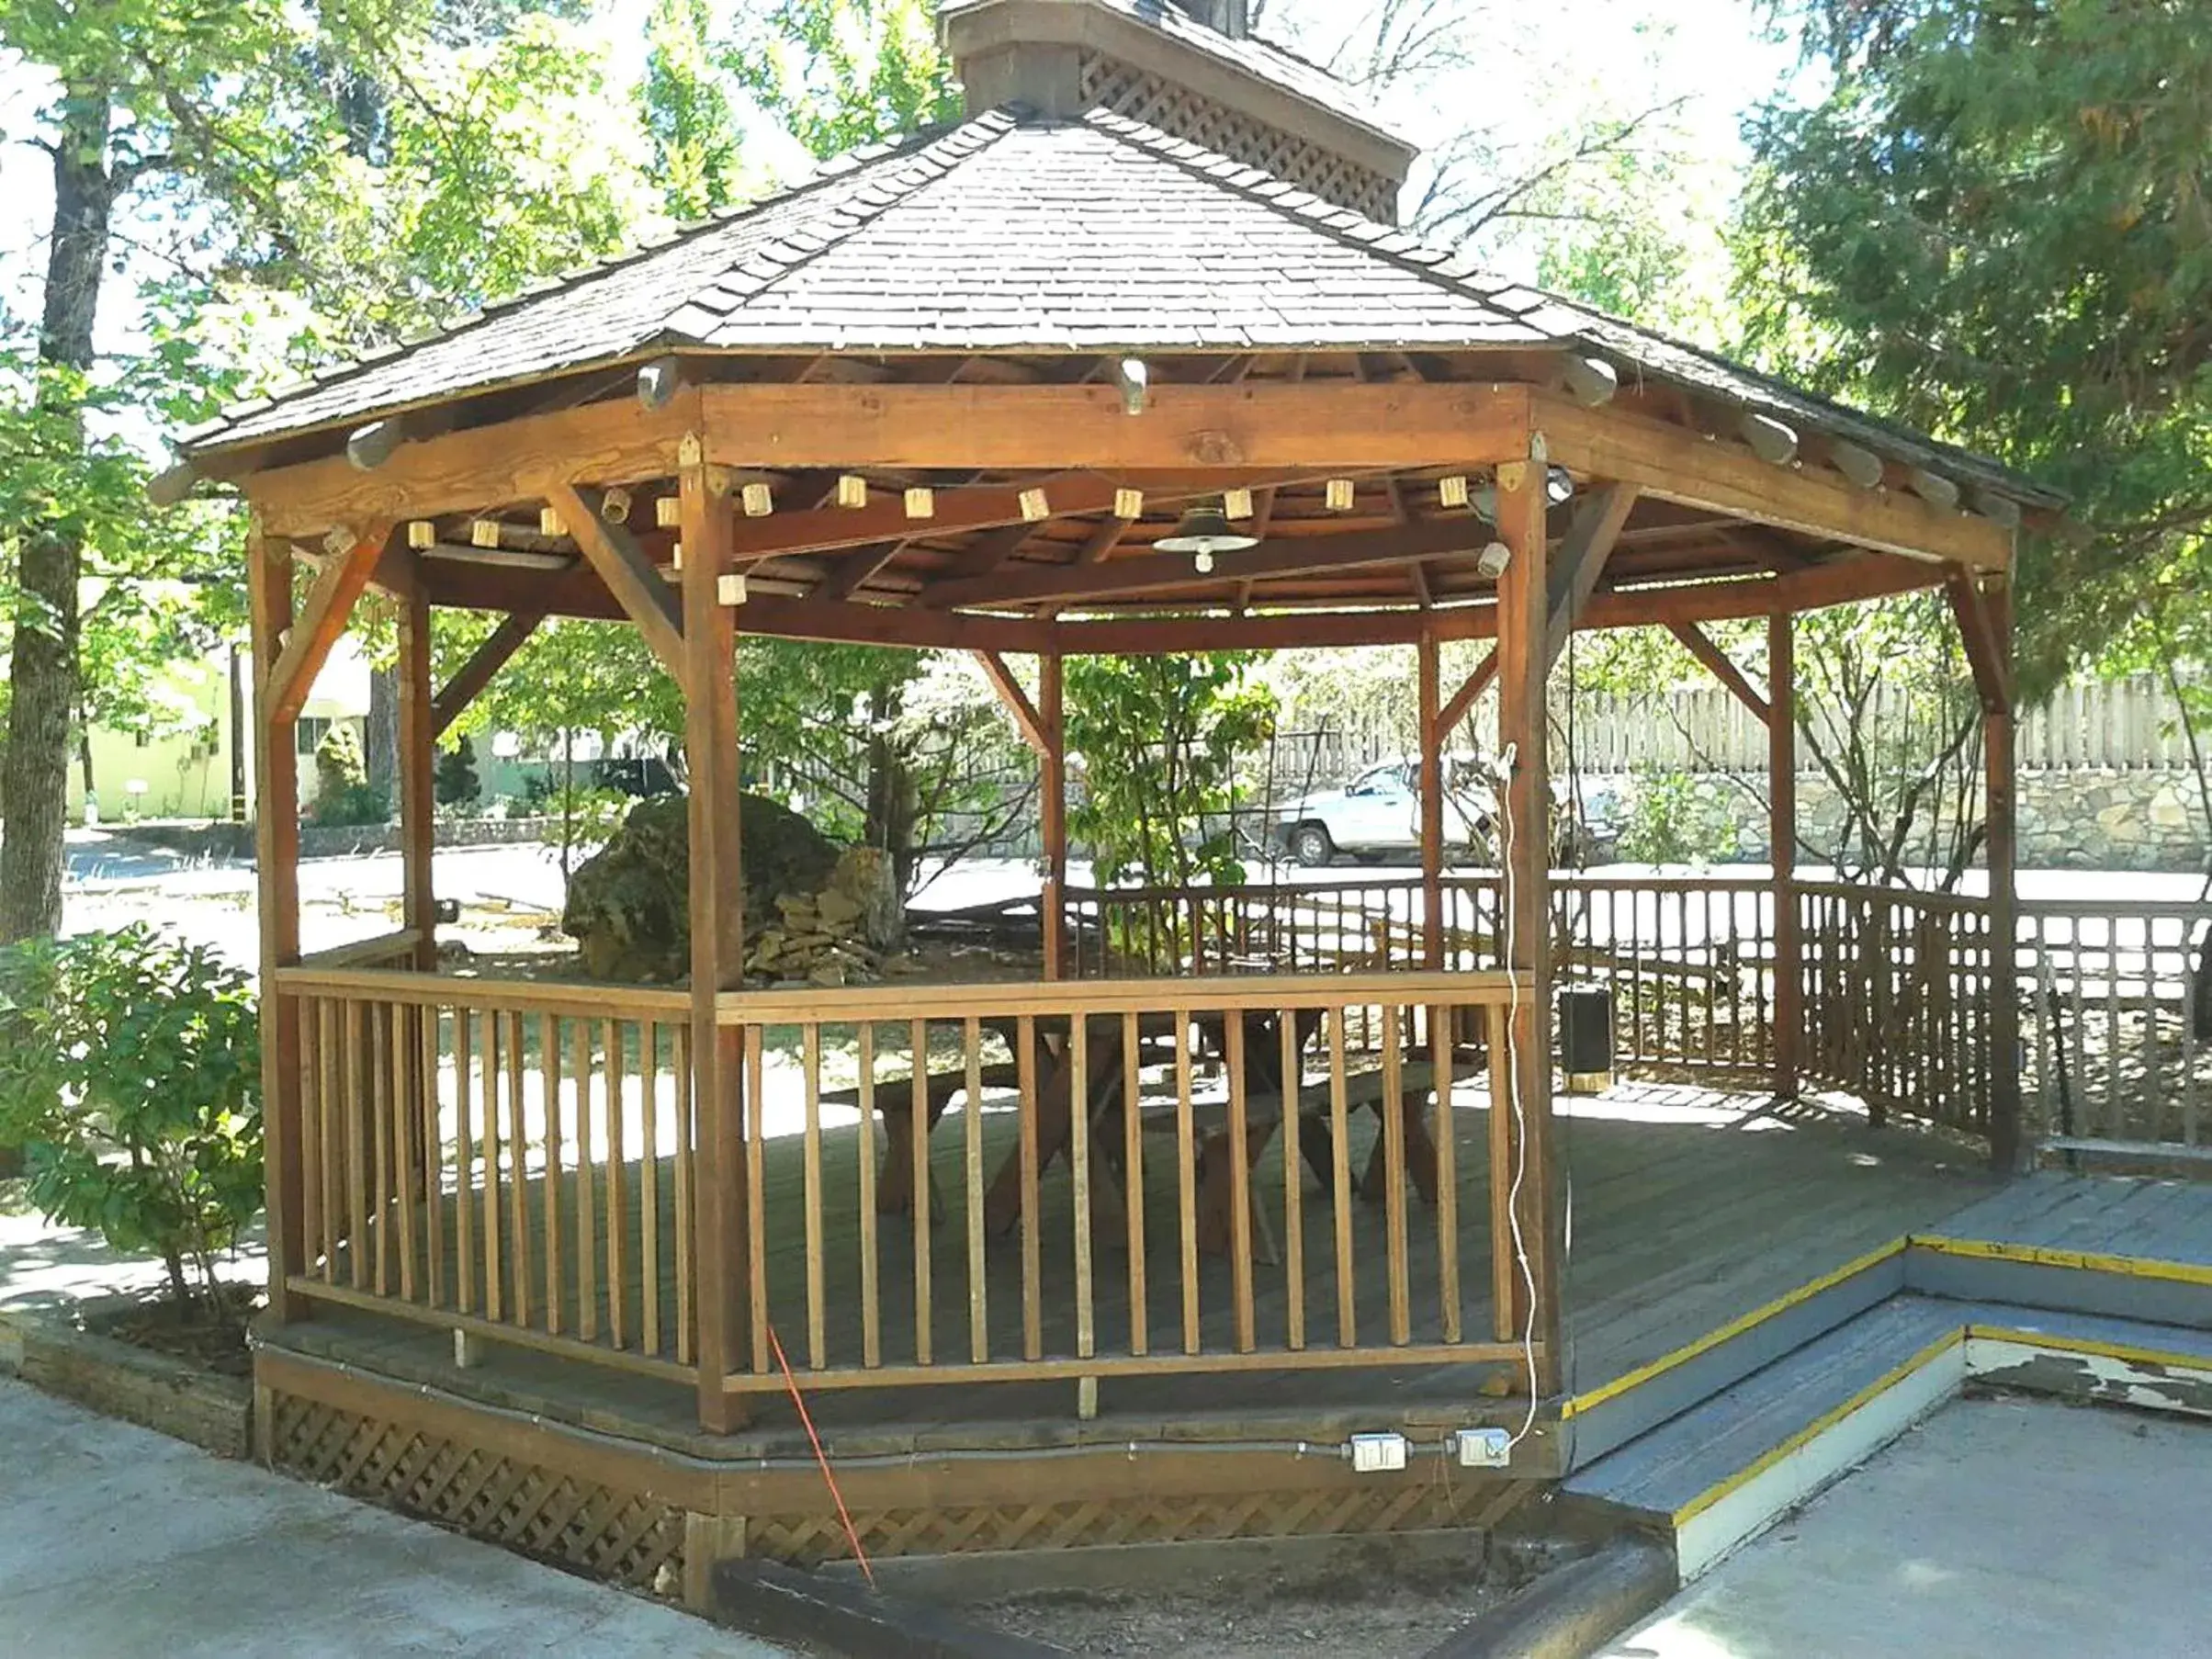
(118, 1543)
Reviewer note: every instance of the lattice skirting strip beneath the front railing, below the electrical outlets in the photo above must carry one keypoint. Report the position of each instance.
(1136, 1521)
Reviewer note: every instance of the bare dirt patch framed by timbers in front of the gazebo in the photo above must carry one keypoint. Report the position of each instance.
(1357, 1609)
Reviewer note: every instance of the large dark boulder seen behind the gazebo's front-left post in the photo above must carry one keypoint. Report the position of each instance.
(629, 908)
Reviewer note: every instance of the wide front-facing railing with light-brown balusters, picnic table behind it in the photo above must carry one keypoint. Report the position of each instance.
(1165, 1244)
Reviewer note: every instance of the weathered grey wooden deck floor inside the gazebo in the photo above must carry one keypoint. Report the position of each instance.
(1689, 1211)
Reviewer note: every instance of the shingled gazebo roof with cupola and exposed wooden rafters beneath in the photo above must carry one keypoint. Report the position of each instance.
(1023, 249)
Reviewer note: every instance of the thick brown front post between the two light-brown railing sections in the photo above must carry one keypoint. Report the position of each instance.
(718, 926)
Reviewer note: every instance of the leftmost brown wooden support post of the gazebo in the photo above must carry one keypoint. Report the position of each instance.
(269, 570)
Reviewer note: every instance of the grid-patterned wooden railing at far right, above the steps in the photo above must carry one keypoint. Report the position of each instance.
(2118, 1019)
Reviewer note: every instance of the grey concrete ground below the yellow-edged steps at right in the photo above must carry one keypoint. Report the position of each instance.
(1999, 1527)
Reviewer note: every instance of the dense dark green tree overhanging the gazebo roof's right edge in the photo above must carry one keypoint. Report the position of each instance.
(1996, 227)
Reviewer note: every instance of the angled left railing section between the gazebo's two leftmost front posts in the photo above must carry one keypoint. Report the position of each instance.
(508, 1160)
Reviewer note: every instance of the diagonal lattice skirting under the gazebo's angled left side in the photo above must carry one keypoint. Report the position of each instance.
(587, 1527)
